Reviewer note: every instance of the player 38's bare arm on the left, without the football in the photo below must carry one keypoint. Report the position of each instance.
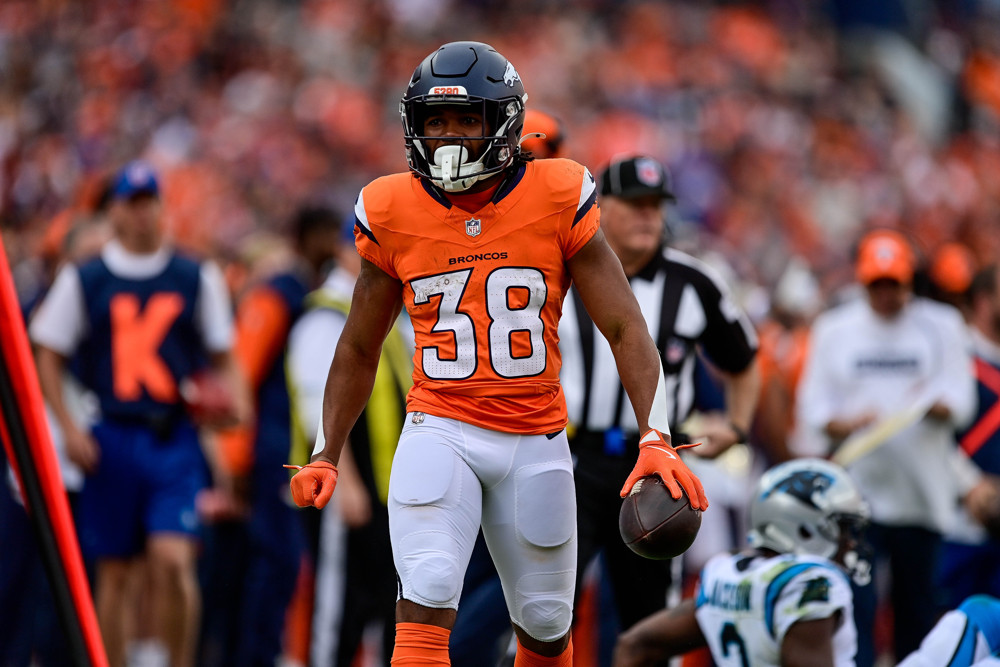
(376, 303)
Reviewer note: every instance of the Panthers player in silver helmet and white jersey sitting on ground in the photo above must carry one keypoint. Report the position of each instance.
(788, 602)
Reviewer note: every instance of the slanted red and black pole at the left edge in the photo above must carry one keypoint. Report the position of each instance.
(28, 443)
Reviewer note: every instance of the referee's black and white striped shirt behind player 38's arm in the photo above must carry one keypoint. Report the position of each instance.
(687, 305)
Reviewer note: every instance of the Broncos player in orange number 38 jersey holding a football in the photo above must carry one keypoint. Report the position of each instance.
(480, 243)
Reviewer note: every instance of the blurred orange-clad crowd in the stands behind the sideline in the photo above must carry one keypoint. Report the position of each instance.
(790, 127)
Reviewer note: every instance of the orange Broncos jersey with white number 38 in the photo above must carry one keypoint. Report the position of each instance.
(485, 290)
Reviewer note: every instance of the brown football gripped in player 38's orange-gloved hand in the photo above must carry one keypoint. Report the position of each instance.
(653, 524)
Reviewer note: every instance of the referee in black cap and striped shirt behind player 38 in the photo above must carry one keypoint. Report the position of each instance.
(688, 309)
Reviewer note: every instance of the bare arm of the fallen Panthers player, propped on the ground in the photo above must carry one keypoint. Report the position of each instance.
(664, 634)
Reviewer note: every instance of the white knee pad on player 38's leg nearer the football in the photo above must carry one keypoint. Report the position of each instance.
(544, 604)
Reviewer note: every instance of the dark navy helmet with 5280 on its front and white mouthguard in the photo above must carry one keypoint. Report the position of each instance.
(464, 73)
